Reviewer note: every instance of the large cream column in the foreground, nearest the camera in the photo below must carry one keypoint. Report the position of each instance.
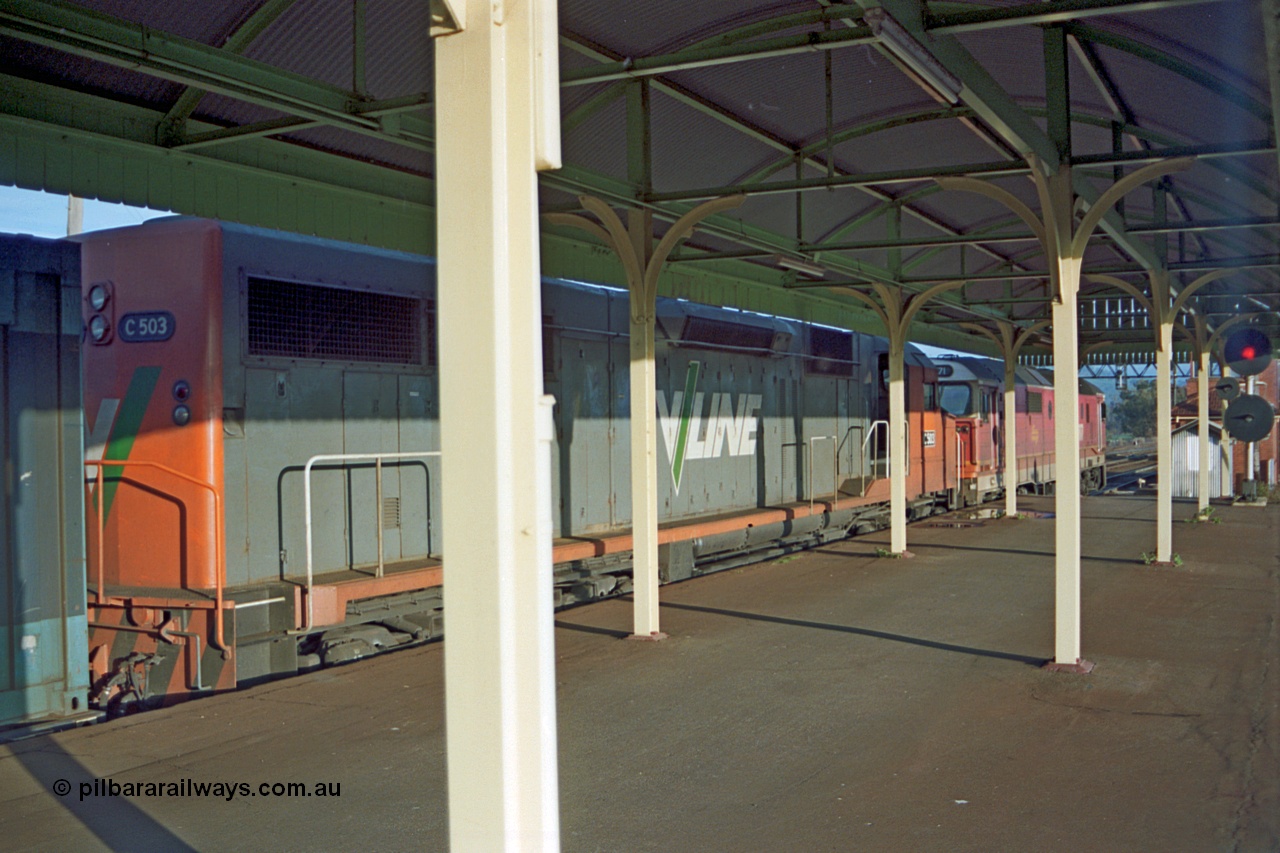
(500, 655)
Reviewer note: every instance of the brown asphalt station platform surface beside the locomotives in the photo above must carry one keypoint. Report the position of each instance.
(829, 701)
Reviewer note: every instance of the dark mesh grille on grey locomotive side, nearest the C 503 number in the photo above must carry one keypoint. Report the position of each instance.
(294, 321)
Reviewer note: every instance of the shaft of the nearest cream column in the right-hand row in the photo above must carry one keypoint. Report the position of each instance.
(1067, 467)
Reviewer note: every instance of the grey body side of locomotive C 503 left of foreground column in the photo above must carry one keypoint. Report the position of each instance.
(328, 352)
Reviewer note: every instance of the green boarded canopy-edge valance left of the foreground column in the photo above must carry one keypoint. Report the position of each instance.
(71, 143)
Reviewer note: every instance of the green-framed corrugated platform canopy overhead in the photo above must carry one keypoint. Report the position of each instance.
(833, 118)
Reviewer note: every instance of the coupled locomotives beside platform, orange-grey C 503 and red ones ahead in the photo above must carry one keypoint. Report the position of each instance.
(262, 467)
